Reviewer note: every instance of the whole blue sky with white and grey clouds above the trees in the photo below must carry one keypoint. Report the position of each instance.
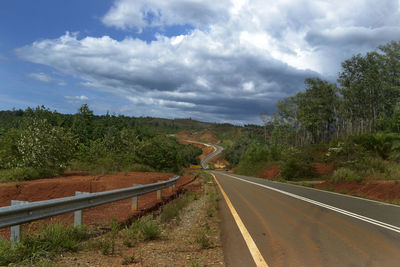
(218, 61)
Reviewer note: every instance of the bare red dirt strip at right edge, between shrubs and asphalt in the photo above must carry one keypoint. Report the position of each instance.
(378, 190)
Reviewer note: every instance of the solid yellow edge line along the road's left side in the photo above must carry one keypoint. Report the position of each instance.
(254, 251)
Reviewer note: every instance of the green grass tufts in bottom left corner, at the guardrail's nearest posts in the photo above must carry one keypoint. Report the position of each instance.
(47, 242)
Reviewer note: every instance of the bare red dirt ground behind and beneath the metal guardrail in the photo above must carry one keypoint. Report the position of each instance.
(99, 216)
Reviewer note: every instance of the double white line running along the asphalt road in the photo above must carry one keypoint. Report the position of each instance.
(345, 212)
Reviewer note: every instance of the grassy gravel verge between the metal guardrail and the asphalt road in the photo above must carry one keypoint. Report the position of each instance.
(120, 243)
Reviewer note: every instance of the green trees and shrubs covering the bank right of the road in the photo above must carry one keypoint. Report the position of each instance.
(352, 126)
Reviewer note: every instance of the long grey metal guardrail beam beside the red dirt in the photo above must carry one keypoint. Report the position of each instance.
(32, 211)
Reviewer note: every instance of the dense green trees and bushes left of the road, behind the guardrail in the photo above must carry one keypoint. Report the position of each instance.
(36, 143)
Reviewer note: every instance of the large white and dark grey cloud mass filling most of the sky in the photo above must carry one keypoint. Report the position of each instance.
(240, 58)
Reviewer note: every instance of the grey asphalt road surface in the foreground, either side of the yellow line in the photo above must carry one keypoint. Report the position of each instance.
(297, 226)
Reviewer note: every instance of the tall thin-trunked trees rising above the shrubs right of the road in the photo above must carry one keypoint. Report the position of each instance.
(365, 100)
